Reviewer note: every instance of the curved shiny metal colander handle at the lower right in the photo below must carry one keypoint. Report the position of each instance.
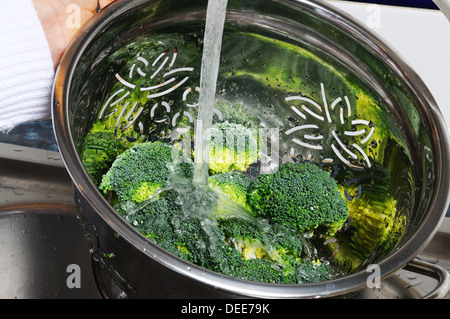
(435, 271)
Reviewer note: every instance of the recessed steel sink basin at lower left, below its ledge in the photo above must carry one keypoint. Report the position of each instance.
(39, 246)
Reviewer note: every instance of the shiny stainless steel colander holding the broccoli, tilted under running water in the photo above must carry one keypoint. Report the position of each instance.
(317, 85)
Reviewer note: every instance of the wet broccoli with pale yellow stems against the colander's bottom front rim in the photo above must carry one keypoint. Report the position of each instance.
(271, 253)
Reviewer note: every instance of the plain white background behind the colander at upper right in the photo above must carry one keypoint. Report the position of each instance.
(420, 36)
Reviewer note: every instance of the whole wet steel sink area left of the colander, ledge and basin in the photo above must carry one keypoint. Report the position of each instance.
(40, 236)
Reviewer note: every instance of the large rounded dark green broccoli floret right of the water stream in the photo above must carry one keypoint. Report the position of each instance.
(300, 196)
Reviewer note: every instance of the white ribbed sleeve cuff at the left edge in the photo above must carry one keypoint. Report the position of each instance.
(26, 66)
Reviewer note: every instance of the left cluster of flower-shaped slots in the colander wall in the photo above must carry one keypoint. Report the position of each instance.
(170, 78)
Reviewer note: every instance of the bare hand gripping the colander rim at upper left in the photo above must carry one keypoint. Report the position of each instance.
(61, 19)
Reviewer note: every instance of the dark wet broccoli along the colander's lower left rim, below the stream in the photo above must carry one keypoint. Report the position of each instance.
(165, 222)
